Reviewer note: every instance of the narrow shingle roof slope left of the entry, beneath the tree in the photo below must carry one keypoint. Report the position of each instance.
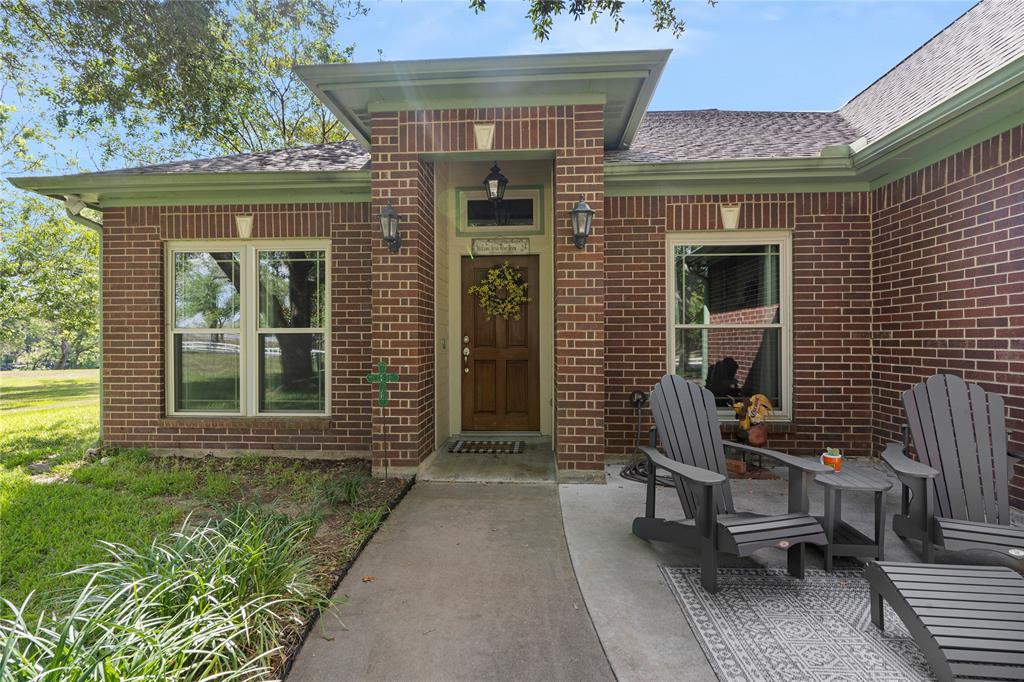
(330, 157)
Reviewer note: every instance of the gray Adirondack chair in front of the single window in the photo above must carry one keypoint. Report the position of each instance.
(689, 427)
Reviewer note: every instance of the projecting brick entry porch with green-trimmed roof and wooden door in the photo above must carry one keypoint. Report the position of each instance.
(435, 129)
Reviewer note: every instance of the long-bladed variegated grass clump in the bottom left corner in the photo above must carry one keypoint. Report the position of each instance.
(217, 602)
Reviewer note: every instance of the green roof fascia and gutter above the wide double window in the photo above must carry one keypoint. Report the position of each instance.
(111, 190)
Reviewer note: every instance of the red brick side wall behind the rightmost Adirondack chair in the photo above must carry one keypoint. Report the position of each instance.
(949, 281)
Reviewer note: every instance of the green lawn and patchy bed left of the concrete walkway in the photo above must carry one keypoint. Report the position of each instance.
(53, 522)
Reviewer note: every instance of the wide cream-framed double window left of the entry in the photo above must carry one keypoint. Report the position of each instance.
(248, 328)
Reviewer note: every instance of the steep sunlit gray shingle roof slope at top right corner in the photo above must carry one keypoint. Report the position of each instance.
(989, 36)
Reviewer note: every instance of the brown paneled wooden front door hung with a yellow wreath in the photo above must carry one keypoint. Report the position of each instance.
(501, 378)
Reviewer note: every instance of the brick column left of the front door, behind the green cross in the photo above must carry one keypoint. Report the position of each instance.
(403, 303)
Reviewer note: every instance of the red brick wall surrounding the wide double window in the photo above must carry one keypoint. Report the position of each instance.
(134, 328)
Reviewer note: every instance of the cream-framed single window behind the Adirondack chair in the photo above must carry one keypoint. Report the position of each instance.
(730, 315)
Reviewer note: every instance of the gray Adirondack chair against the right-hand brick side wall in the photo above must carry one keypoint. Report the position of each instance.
(957, 495)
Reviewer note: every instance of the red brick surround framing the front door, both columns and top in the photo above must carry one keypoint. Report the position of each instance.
(403, 326)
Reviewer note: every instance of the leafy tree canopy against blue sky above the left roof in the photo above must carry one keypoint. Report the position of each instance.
(151, 79)
